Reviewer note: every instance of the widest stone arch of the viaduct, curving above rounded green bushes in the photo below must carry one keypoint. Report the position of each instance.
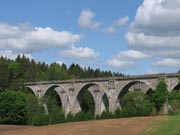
(127, 87)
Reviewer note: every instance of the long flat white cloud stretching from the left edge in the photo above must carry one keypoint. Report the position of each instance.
(26, 38)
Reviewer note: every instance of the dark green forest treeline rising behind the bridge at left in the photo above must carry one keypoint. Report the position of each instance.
(15, 72)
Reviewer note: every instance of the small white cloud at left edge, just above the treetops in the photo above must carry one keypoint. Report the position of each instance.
(12, 55)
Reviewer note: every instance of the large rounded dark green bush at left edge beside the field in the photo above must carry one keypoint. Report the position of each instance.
(12, 107)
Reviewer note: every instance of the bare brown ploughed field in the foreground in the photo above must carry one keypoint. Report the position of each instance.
(124, 126)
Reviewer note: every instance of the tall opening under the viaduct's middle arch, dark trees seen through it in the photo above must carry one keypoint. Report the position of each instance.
(85, 98)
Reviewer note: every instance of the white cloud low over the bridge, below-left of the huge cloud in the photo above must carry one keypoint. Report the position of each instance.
(126, 59)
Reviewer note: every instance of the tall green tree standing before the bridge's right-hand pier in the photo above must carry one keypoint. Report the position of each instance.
(159, 95)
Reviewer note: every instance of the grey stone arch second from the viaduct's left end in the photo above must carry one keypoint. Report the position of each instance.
(62, 93)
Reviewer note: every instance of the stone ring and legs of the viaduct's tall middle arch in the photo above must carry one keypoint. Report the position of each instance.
(93, 88)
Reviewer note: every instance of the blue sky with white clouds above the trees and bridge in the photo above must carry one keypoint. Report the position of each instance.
(128, 36)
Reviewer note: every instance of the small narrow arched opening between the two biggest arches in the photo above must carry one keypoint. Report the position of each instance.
(104, 103)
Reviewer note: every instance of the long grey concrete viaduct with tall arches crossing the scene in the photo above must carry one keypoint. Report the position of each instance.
(103, 90)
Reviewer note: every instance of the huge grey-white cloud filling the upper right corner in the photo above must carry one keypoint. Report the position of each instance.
(156, 31)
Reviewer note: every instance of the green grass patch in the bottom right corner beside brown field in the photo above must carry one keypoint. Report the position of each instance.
(169, 126)
